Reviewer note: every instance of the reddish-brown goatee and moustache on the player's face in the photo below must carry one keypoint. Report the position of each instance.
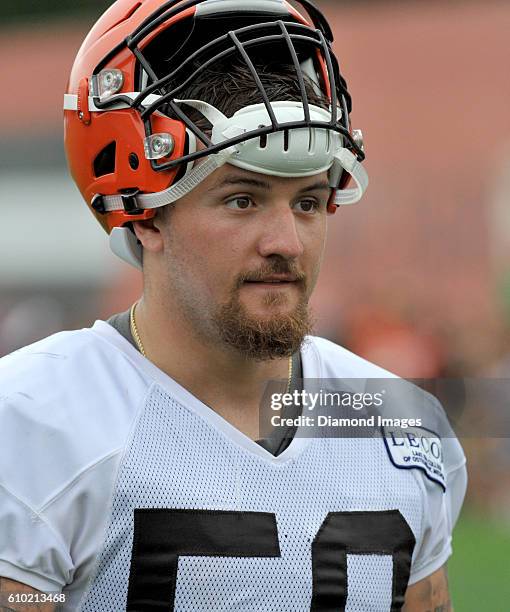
(265, 337)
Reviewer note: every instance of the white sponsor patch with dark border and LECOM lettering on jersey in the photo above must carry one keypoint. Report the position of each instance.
(416, 448)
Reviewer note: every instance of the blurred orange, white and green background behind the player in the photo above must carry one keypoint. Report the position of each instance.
(415, 278)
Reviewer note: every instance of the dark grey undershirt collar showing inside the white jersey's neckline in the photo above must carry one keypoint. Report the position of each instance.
(280, 437)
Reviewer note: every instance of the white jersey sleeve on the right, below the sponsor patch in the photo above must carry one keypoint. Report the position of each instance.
(441, 511)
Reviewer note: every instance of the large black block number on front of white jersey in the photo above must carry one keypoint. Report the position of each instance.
(162, 535)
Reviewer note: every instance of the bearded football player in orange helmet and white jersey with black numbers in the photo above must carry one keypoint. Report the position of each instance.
(211, 139)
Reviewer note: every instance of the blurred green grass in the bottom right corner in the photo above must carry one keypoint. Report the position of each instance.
(479, 570)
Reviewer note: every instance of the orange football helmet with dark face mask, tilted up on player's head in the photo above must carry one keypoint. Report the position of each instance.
(134, 107)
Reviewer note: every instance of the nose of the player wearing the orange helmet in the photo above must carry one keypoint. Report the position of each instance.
(280, 235)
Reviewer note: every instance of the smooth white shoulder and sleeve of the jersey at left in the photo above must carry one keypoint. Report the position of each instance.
(62, 437)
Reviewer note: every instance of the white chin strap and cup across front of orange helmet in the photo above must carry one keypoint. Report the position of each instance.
(297, 152)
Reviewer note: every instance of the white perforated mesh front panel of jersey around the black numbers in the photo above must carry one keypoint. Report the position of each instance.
(176, 460)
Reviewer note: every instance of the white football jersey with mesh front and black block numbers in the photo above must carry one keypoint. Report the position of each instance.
(122, 490)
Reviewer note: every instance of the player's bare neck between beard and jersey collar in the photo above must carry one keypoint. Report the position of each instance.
(220, 377)
